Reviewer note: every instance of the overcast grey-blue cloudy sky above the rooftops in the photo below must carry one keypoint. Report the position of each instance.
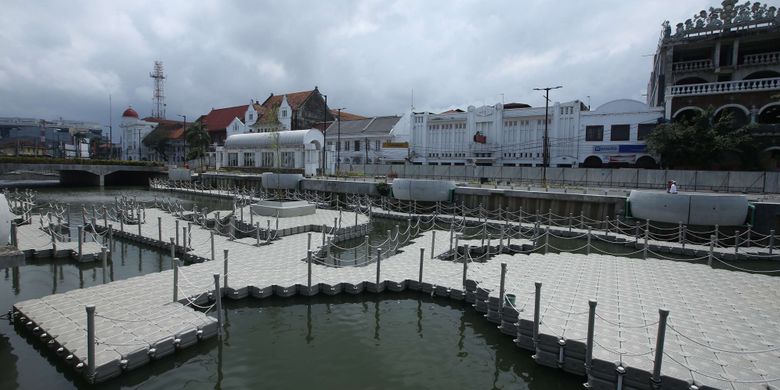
(64, 58)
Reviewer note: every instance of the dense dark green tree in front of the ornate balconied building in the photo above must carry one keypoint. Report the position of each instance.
(702, 142)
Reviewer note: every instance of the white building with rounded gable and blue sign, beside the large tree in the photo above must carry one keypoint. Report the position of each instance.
(615, 134)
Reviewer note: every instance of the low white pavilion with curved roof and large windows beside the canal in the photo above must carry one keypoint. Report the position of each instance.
(291, 150)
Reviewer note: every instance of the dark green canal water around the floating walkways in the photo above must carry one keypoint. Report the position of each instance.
(401, 341)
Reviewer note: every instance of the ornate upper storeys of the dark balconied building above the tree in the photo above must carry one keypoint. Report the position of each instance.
(727, 58)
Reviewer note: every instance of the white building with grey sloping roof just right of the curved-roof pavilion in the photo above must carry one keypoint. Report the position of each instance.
(377, 140)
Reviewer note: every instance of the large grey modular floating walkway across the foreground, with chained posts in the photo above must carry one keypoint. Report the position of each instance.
(722, 328)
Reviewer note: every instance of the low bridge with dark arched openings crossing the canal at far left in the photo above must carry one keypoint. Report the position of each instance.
(91, 174)
